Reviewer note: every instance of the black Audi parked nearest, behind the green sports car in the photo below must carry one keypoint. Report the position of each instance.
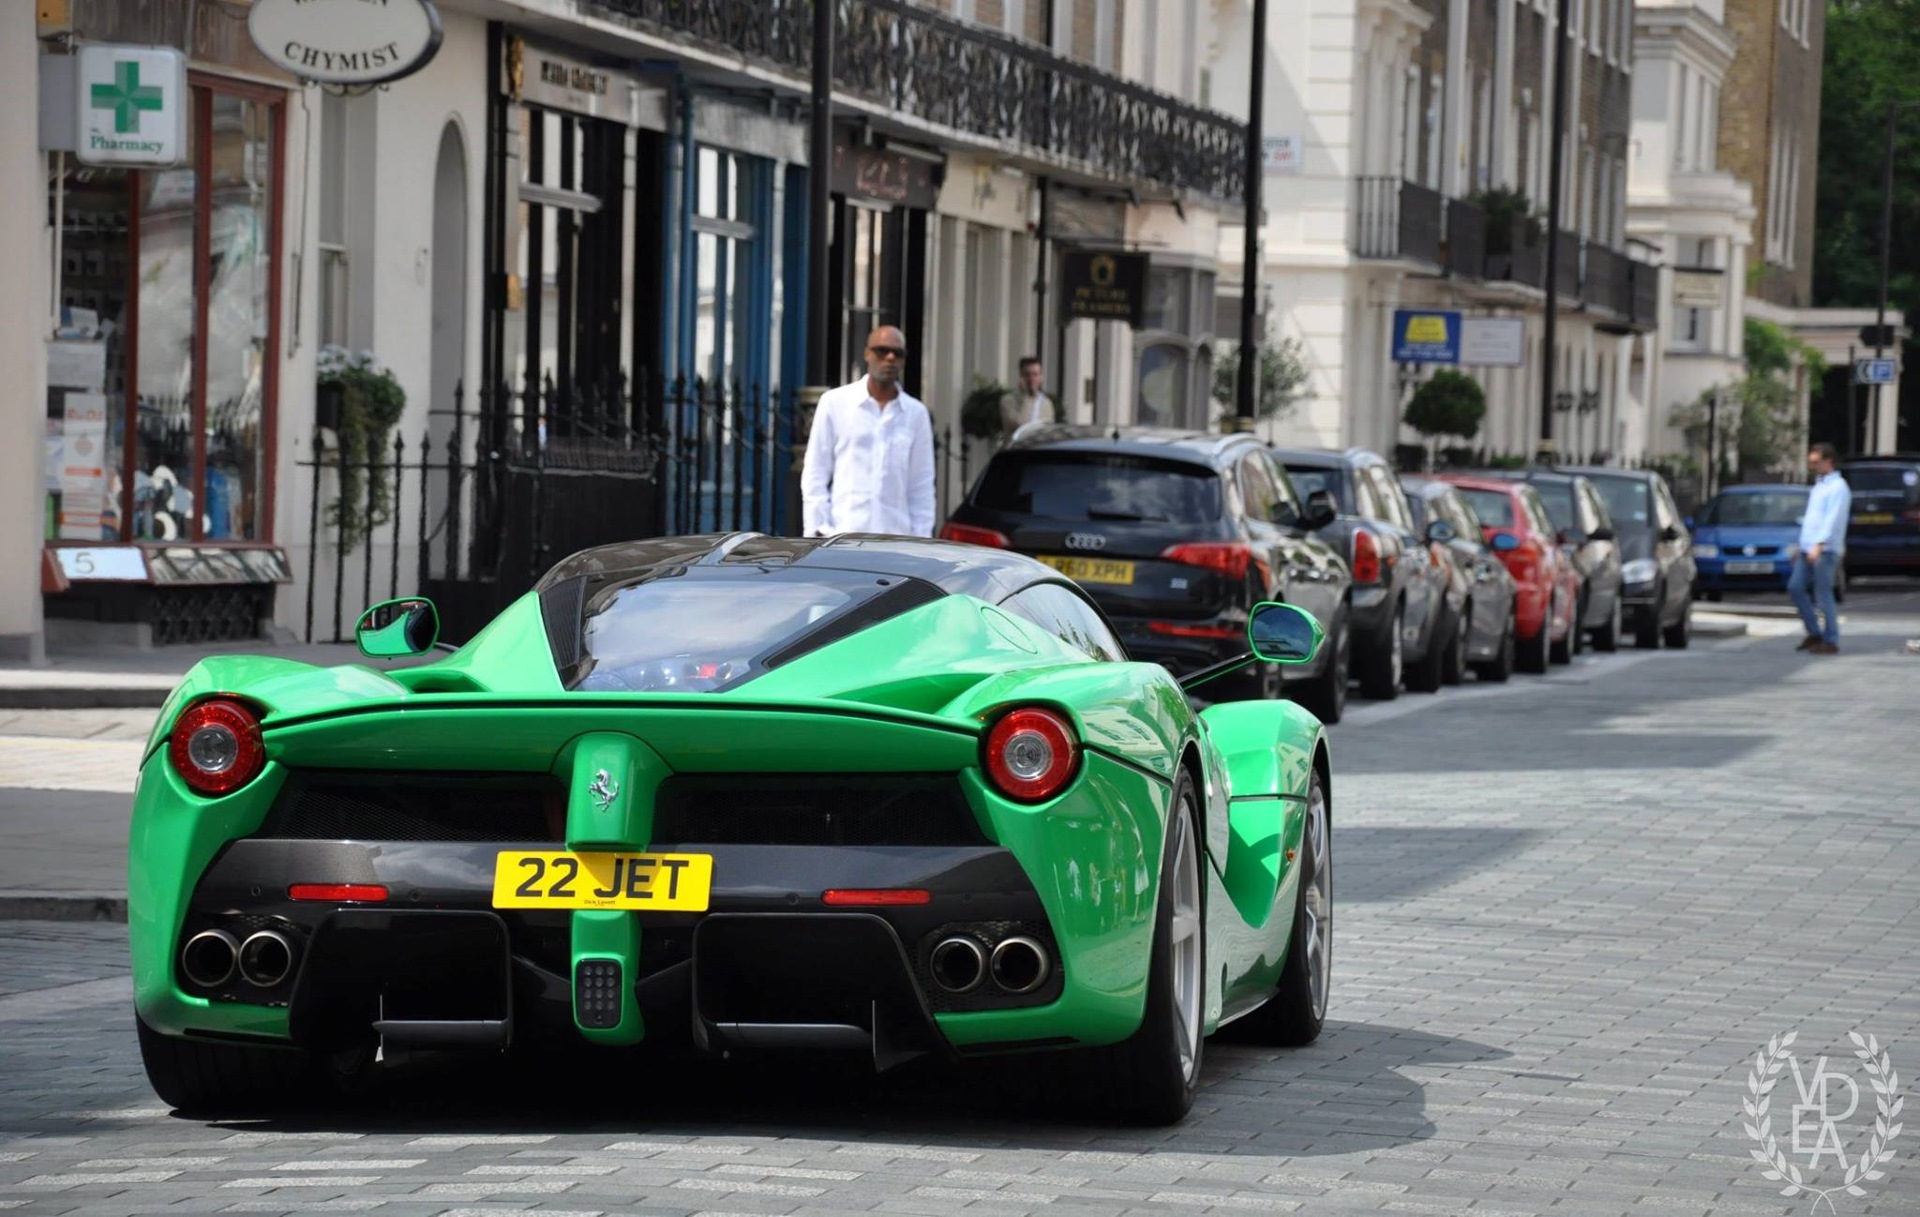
(1176, 537)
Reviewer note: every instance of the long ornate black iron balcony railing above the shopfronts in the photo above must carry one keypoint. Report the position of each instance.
(901, 59)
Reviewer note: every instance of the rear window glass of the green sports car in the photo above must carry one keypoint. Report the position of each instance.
(702, 631)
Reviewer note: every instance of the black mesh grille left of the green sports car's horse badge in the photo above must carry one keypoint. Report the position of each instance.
(404, 807)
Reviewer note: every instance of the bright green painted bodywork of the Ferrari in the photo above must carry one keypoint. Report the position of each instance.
(911, 694)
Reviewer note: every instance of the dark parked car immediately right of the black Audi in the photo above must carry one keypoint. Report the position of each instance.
(1401, 621)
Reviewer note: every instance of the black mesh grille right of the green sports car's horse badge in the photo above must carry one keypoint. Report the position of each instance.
(811, 809)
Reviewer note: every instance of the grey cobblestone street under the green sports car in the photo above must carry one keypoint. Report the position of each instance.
(1570, 913)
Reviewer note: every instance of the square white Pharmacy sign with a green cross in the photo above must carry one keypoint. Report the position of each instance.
(132, 107)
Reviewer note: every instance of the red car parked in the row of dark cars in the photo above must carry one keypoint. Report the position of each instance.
(1547, 588)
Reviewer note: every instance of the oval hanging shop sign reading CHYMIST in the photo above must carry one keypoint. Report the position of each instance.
(347, 41)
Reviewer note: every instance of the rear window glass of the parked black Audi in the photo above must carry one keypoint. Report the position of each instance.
(1101, 489)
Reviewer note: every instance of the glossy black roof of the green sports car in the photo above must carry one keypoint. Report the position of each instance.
(953, 567)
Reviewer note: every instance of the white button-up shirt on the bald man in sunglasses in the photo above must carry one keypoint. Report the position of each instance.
(869, 465)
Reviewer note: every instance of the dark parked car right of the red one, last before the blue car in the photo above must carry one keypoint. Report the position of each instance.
(1656, 554)
